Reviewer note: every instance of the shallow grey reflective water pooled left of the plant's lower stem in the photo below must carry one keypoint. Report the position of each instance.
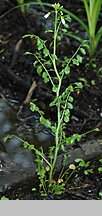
(16, 162)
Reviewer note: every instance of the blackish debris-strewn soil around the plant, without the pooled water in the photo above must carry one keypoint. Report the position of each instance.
(17, 74)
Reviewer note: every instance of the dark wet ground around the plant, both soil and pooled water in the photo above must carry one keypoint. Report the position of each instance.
(17, 168)
